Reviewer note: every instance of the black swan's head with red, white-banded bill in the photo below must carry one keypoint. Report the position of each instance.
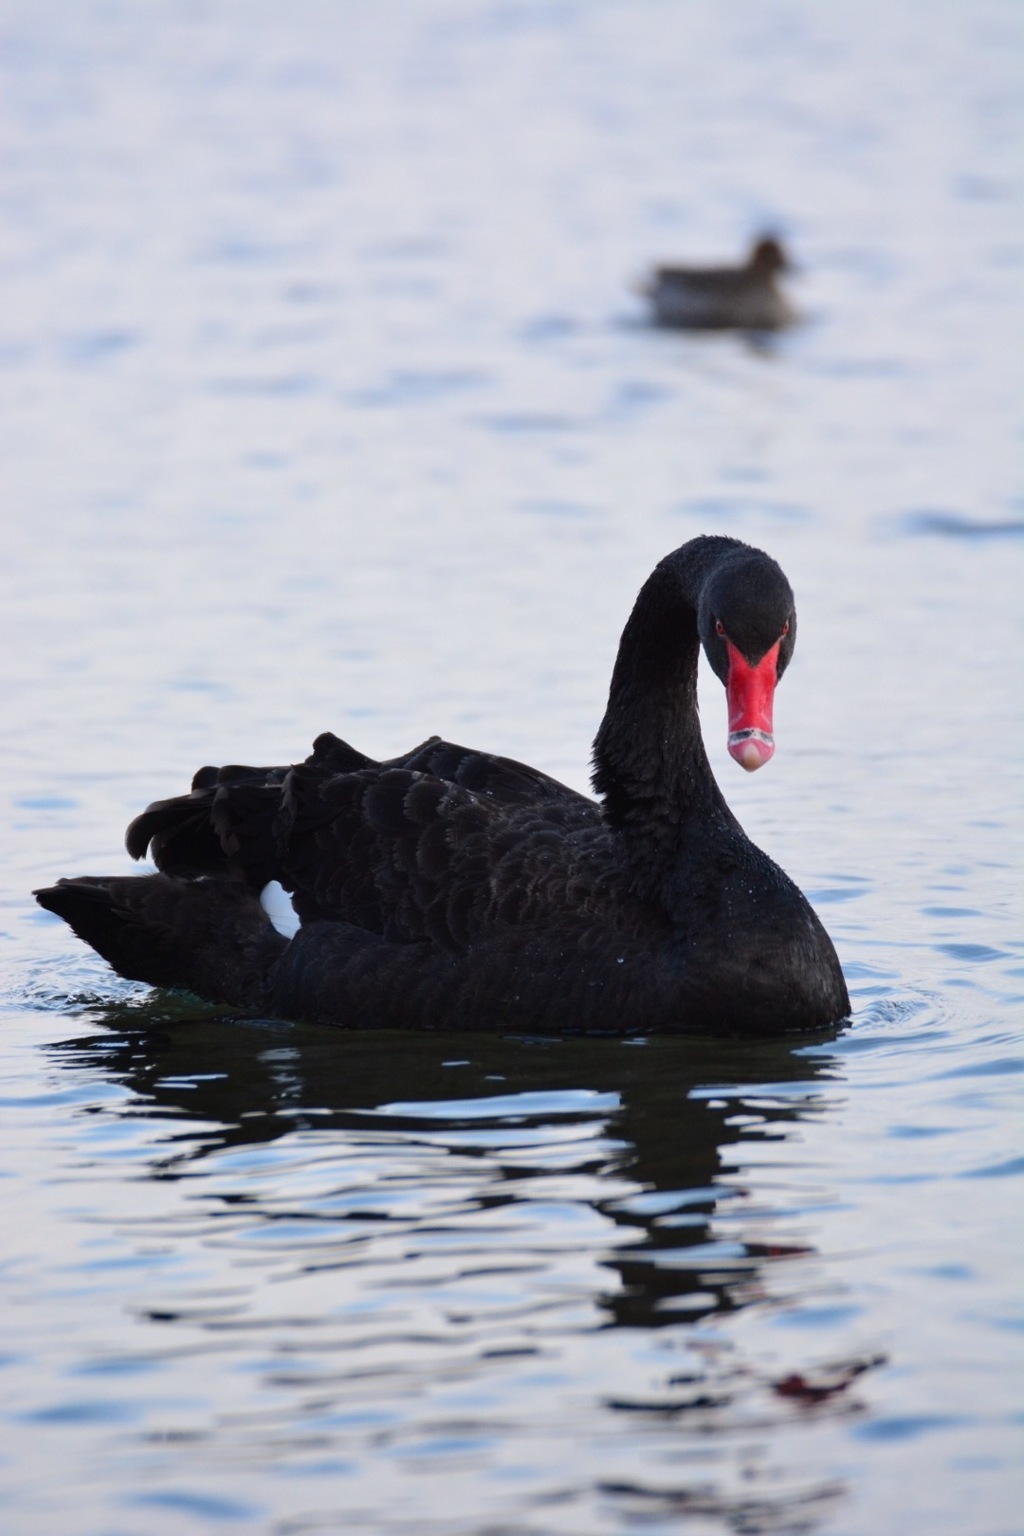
(748, 629)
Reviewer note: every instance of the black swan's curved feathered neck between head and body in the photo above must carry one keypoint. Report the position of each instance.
(650, 764)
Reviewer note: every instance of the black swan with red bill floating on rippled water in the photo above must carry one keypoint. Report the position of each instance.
(458, 890)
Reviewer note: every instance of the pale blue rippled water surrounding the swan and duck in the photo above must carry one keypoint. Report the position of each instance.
(328, 403)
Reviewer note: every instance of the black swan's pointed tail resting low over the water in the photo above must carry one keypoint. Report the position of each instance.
(208, 936)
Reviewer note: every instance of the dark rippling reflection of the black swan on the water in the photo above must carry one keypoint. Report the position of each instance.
(633, 1151)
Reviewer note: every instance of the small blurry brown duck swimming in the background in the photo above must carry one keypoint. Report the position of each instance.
(745, 297)
